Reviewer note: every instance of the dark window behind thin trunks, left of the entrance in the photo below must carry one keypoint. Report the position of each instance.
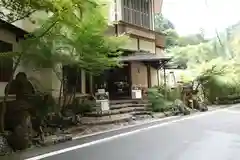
(73, 79)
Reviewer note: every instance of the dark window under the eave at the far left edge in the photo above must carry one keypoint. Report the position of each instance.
(6, 63)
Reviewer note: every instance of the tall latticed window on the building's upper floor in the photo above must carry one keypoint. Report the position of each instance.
(137, 12)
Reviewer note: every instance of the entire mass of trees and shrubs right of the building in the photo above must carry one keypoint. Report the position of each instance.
(214, 63)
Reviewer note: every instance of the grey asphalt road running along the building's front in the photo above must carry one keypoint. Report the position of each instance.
(207, 136)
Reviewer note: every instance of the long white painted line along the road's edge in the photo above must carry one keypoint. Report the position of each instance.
(122, 135)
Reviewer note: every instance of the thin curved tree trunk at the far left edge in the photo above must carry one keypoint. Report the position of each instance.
(4, 104)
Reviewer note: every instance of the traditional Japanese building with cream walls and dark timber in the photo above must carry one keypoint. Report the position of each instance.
(143, 54)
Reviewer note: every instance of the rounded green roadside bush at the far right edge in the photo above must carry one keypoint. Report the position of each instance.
(219, 79)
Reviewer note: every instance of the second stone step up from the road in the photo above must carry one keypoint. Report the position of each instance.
(118, 111)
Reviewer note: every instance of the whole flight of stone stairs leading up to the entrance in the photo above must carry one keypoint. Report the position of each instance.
(120, 111)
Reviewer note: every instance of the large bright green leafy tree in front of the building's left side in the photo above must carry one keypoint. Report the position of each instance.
(72, 33)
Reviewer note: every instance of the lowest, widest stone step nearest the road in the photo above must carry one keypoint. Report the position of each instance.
(106, 119)
